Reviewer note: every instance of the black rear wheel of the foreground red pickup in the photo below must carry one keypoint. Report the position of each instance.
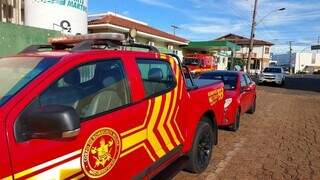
(200, 154)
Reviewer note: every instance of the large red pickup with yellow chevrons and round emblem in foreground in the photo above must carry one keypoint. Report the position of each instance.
(90, 107)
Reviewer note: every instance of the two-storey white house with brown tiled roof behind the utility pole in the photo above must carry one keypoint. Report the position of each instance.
(261, 54)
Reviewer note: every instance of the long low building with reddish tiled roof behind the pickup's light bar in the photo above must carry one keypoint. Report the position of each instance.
(111, 22)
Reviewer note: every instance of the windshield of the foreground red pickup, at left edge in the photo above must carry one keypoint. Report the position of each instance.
(17, 72)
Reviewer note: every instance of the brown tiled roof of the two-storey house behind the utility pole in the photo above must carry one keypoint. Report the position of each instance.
(241, 40)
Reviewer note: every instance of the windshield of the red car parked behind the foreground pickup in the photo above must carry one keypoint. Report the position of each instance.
(229, 80)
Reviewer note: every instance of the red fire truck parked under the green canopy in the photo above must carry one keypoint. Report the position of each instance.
(199, 63)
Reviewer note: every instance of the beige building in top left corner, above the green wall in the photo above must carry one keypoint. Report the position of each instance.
(12, 11)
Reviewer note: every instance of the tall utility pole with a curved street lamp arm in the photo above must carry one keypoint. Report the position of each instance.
(253, 29)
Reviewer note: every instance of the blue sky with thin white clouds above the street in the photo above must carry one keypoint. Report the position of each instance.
(208, 19)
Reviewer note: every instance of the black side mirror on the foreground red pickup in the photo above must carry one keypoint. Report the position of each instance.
(51, 122)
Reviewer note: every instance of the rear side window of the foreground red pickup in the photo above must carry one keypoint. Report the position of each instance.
(157, 76)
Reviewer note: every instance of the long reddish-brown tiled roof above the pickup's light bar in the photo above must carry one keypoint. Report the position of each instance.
(127, 23)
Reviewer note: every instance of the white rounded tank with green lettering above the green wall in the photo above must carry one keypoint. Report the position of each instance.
(70, 16)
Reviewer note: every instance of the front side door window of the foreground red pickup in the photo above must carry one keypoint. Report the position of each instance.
(90, 89)
